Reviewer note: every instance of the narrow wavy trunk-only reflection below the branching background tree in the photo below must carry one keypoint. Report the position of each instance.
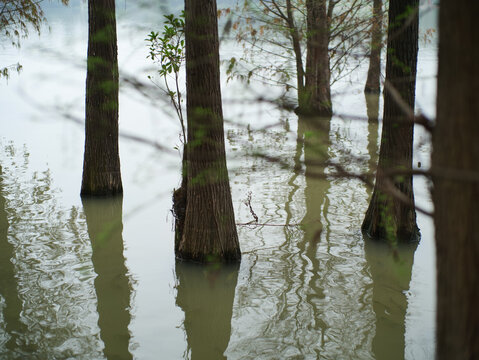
(313, 142)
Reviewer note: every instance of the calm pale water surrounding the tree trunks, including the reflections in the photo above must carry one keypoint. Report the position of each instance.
(98, 279)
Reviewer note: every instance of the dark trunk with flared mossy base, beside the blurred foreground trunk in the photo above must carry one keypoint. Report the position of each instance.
(388, 217)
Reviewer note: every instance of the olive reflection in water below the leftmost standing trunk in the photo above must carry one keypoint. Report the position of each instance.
(112, 286)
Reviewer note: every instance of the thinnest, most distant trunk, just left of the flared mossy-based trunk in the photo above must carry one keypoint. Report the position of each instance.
(374, 72)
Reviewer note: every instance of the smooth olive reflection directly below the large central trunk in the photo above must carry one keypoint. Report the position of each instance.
(205, 293)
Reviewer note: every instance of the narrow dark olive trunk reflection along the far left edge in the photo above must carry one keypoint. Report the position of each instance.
(12, 310)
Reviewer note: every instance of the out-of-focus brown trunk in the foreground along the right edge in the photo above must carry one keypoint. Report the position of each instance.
(456, 198)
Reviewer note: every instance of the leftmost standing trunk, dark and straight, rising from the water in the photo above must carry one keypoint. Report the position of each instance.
(101, 165)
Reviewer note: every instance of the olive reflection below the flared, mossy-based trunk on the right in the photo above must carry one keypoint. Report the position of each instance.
(391, 275)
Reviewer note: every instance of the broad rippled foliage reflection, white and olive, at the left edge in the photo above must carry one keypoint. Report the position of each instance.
(52, 308)
